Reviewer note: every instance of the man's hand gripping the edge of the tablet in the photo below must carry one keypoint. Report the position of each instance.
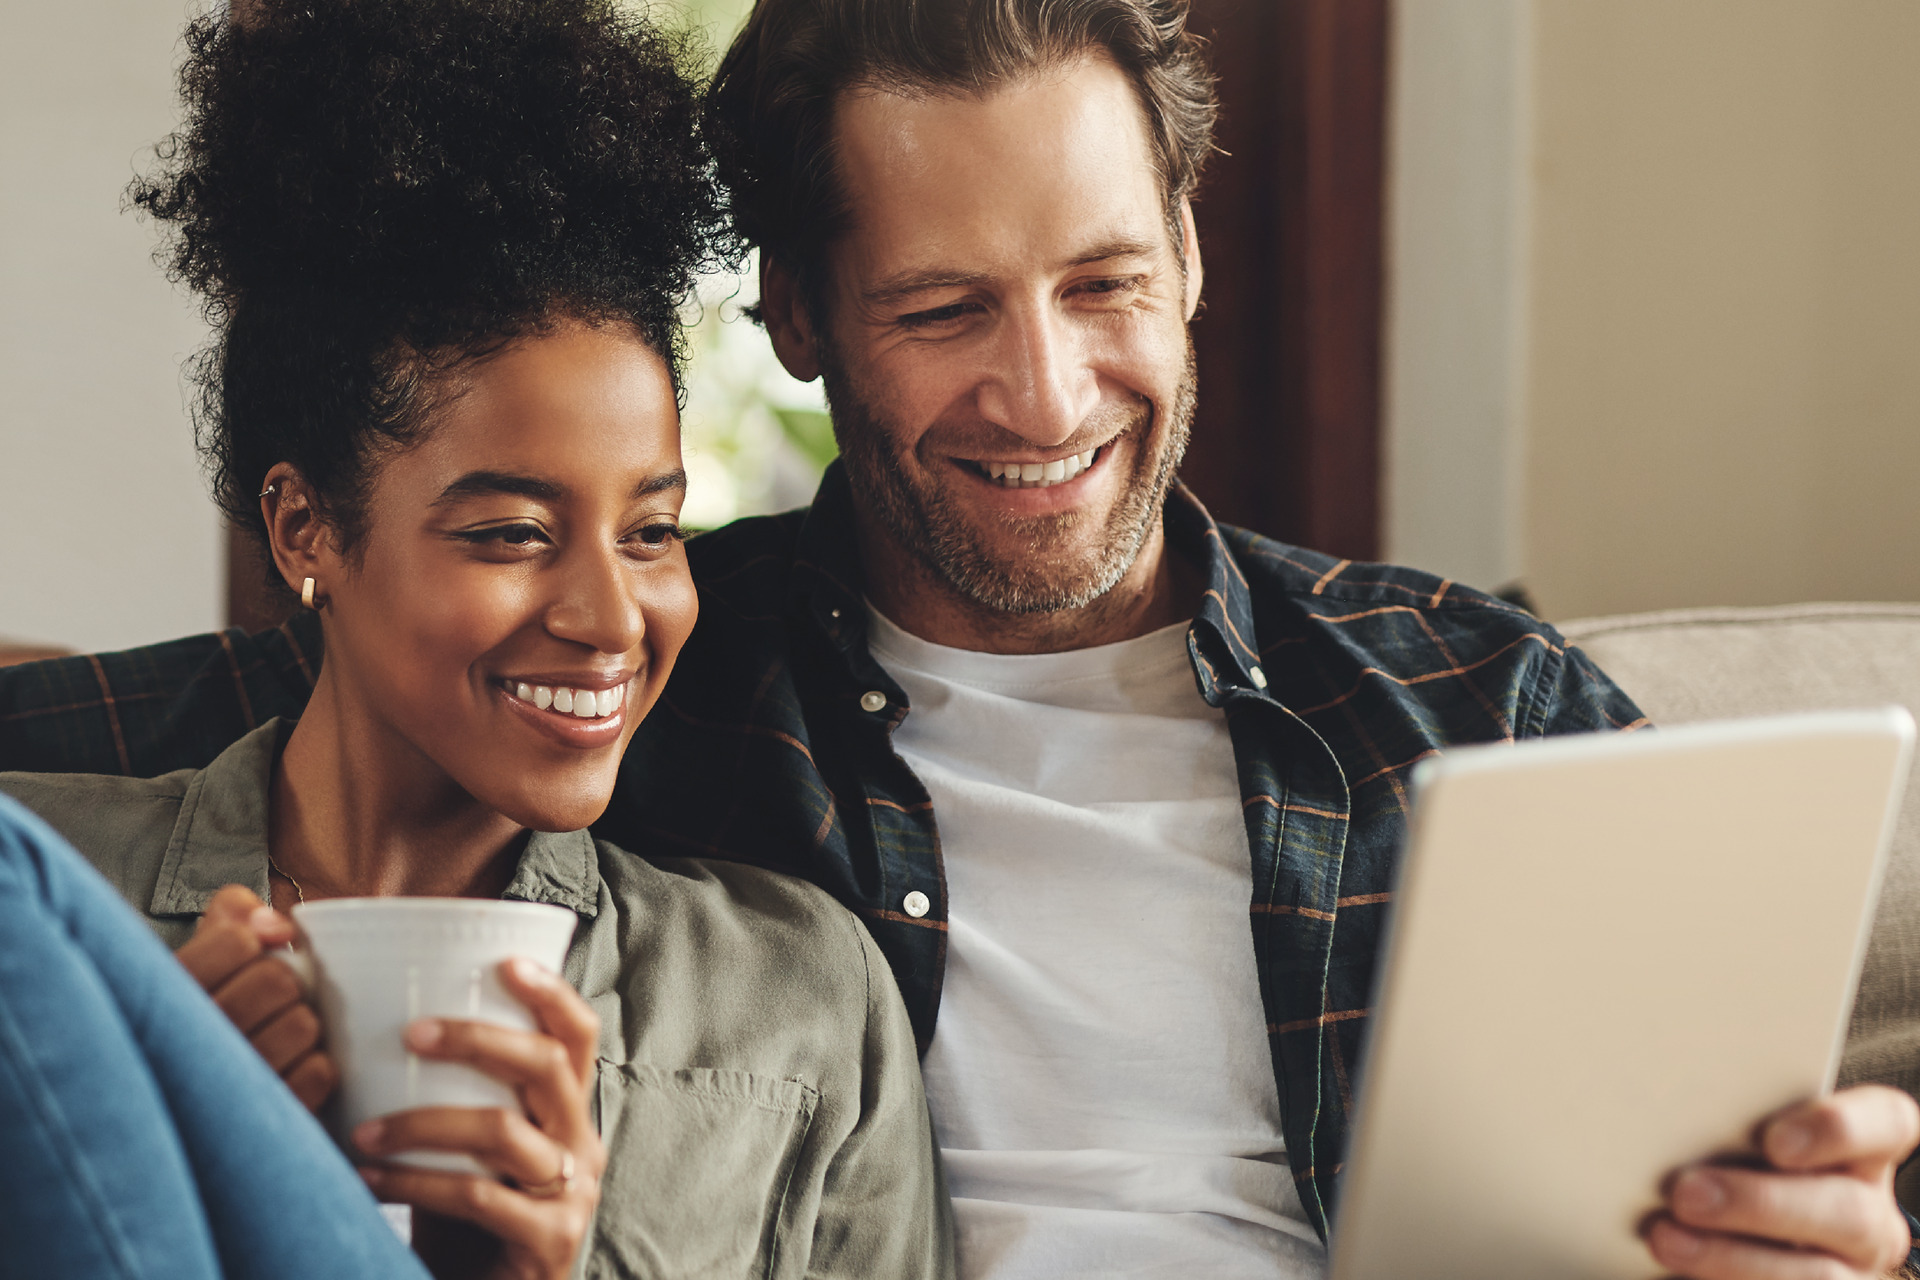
(1823, 1212)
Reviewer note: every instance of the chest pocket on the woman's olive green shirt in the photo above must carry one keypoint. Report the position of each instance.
(700, 1172)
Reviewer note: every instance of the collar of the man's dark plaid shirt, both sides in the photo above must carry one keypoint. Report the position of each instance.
(828, 586)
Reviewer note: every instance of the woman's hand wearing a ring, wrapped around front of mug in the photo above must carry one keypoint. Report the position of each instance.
(552, 1156)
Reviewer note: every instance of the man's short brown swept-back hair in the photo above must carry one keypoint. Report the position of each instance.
(771, 108)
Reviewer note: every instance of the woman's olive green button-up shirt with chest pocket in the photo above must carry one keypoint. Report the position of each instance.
(759, 1093)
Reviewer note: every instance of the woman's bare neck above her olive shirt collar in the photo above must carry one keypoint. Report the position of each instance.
(358, 811)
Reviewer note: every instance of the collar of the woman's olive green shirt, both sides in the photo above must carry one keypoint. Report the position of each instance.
(220, 840)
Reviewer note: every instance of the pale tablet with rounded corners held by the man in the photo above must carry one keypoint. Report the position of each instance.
(1608, 957)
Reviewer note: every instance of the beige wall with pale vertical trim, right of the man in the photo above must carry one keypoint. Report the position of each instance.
(1656, 300)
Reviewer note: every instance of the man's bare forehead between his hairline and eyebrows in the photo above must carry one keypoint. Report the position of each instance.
(1057, 162)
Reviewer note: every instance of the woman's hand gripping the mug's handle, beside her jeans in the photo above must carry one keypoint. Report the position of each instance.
(229, 959)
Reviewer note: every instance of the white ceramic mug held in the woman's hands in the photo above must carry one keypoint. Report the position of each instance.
(377, 964)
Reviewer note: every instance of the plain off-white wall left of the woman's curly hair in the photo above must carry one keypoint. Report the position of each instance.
(110, 536)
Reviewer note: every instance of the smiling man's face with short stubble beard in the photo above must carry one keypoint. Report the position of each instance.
(1005, 341)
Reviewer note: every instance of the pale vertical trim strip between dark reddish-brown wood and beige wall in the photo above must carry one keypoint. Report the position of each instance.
(1456, 247)
